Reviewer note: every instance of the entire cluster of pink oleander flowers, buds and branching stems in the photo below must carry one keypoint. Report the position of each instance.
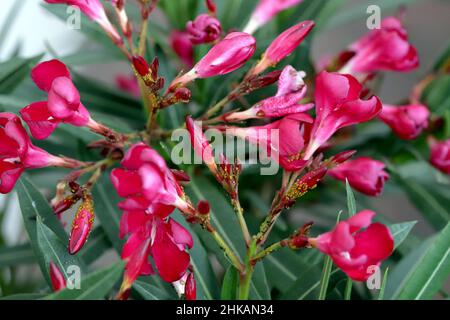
(300, 125)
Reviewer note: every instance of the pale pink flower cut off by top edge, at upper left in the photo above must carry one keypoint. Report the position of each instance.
(95, 11)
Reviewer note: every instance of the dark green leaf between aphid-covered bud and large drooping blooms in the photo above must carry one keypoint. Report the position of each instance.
(105, 208)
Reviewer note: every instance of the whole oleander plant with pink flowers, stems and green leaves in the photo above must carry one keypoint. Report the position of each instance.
(150, 189)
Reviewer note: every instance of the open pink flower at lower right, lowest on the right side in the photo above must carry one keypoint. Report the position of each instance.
(357, 245)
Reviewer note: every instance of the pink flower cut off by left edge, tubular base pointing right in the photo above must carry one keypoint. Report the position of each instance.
(17, 153)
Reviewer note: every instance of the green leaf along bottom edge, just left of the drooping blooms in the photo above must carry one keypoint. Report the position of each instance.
(94, 286)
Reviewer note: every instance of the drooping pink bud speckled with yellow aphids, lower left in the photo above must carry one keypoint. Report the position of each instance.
(81, 225)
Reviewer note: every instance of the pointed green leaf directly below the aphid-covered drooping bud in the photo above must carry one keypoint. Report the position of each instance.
(53, 250)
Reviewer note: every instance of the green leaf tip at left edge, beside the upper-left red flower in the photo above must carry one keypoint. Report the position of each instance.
(14, 71)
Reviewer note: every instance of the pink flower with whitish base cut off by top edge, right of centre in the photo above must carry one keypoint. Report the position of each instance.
(266, 10)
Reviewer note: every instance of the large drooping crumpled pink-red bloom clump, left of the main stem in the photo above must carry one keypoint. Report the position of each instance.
(152, 193)
